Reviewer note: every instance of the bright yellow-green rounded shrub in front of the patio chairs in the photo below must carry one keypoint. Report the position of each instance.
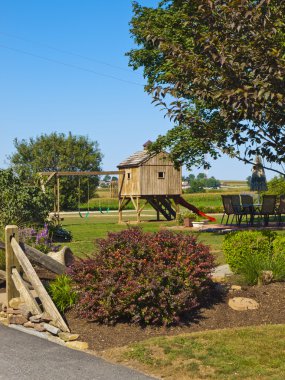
(250, 252)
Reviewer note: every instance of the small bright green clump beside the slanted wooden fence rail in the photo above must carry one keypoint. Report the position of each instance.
(62, 292)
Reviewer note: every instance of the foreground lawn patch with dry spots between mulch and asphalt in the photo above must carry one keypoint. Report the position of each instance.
(239, 353)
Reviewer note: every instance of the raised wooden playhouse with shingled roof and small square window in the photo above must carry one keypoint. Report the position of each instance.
(149, 178)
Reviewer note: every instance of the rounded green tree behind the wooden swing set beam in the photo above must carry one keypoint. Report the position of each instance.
(59, 152)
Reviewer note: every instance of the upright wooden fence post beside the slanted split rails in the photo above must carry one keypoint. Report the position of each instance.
(11, 262)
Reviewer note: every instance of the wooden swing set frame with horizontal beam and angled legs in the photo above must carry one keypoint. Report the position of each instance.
(56, 176)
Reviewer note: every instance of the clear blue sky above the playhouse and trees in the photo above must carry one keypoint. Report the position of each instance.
(63, 68)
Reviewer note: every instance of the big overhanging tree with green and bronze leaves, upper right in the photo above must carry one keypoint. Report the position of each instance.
(218, 70)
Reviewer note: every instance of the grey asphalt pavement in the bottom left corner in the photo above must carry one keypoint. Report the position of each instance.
(26, 357)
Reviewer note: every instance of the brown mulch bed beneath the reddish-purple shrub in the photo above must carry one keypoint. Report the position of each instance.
(214, 314)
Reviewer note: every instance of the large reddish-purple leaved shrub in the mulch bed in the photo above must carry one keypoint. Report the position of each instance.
(146, 278)
